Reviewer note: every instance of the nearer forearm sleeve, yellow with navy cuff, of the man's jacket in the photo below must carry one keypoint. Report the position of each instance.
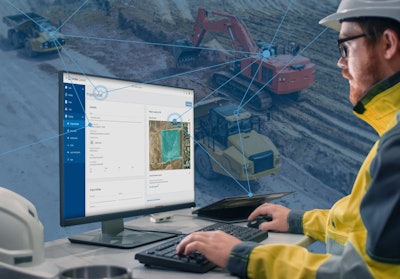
(252, 260)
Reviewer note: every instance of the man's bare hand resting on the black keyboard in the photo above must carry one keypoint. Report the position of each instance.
(216, 246)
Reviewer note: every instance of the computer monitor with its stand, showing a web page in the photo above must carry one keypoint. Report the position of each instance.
(126, 149)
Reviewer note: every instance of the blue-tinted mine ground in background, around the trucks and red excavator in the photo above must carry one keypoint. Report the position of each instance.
(322, 143)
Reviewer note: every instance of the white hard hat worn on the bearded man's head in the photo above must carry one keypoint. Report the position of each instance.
(362, 8)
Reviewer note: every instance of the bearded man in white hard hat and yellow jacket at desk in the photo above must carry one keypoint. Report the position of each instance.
(361, 230)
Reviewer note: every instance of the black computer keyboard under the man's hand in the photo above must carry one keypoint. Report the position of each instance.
(164, 255)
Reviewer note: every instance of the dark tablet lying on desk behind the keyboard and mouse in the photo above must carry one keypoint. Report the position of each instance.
(235, 209)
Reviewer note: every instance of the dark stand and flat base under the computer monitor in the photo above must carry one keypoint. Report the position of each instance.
(114, 234)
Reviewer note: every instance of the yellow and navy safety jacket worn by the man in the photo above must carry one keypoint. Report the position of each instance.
(361, 230)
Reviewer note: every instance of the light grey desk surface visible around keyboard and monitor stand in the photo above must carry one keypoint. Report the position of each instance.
(66, 255)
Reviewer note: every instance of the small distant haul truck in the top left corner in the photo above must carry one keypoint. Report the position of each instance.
(34, 33)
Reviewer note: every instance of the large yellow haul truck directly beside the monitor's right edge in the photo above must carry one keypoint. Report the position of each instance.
(228, 144)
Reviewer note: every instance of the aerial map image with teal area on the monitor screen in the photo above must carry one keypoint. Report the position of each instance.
(169, 145)
